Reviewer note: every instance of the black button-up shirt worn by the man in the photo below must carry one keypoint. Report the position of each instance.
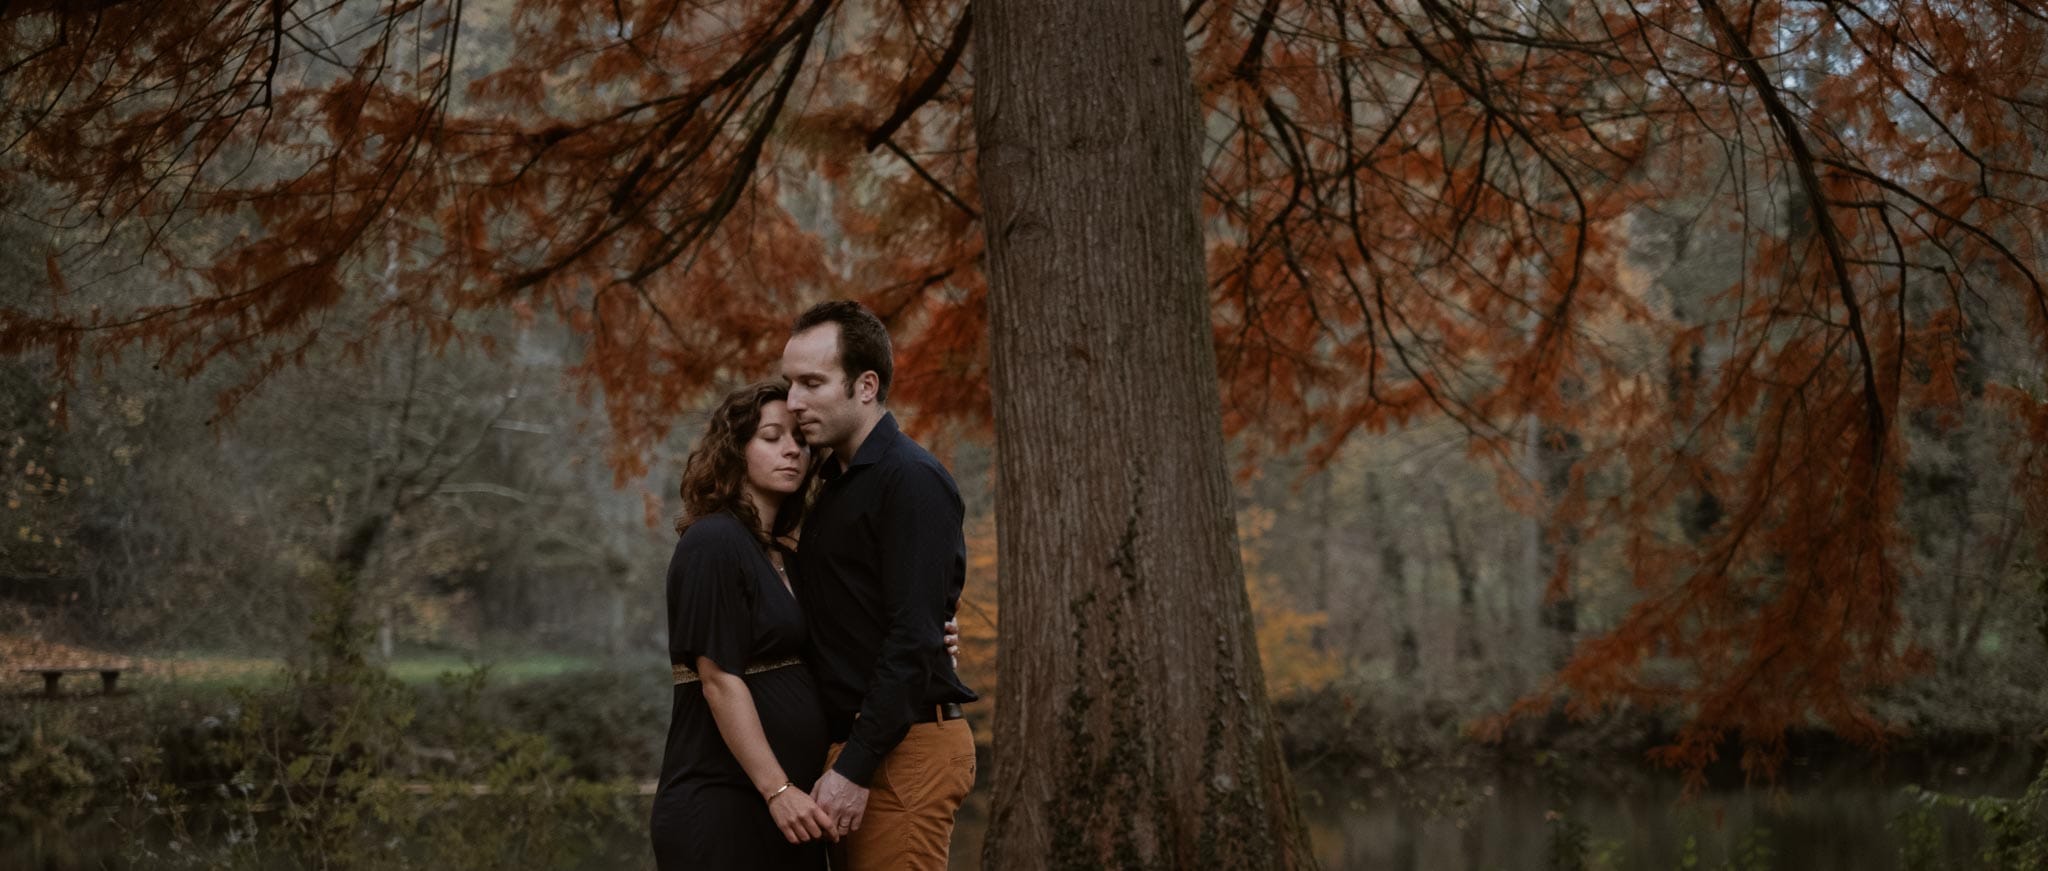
(882, 565)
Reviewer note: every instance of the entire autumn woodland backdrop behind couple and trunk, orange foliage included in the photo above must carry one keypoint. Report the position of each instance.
(1594, 435)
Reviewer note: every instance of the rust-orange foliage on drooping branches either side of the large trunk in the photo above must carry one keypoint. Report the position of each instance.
(1414, 210)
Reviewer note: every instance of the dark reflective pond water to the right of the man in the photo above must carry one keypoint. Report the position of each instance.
(1514, 825)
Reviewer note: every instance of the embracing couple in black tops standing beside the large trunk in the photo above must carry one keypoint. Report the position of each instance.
(822, 556)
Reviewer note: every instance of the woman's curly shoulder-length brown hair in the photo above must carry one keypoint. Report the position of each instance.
(716, 474)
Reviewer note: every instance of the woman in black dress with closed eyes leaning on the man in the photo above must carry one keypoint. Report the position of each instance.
(746, 735)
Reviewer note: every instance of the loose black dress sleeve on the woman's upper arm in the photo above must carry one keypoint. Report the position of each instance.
(710, 612)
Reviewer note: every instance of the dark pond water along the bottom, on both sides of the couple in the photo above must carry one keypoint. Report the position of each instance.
(1488, 821)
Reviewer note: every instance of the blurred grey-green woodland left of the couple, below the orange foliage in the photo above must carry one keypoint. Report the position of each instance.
(179, 532)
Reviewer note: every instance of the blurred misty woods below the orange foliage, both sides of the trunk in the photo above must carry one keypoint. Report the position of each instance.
(1398, 577)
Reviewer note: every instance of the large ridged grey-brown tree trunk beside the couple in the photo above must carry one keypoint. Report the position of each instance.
(1134, 724)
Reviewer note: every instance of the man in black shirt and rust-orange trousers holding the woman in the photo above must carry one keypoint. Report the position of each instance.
(882, 567)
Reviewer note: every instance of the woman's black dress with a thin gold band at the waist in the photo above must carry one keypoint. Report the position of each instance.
(728, 604)
